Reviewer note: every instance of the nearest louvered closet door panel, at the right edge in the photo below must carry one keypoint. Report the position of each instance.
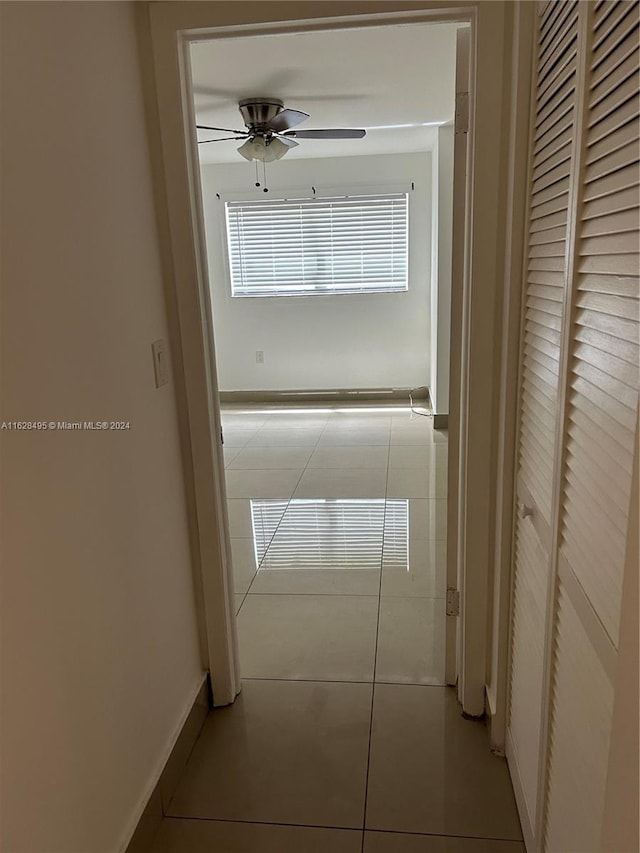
(600, 430)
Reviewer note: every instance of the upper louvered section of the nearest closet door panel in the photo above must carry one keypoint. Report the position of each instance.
(603, 379)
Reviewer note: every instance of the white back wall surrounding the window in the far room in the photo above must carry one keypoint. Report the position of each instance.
(328, 342)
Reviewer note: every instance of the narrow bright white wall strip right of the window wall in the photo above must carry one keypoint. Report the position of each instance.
(441, 241)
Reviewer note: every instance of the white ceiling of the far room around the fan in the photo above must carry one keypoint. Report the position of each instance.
(374, 78)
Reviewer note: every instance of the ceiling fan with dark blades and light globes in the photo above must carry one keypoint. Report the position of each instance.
(269, 135)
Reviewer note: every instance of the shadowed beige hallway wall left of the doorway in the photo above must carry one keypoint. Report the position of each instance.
(99, 644)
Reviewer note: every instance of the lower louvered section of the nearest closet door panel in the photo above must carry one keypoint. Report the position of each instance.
(581, 712)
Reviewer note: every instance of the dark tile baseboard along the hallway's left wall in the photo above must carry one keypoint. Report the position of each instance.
(167, 778)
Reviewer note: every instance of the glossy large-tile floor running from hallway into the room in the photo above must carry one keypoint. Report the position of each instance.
(344, 737)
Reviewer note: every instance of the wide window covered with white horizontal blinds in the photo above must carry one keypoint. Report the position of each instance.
(285, 247)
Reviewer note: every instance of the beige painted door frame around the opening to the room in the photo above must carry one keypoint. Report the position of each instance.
(169, 29)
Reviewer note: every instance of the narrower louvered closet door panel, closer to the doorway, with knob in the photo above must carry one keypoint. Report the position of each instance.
(545, 286)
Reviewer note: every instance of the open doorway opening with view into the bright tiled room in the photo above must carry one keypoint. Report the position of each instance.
(337, 512)
